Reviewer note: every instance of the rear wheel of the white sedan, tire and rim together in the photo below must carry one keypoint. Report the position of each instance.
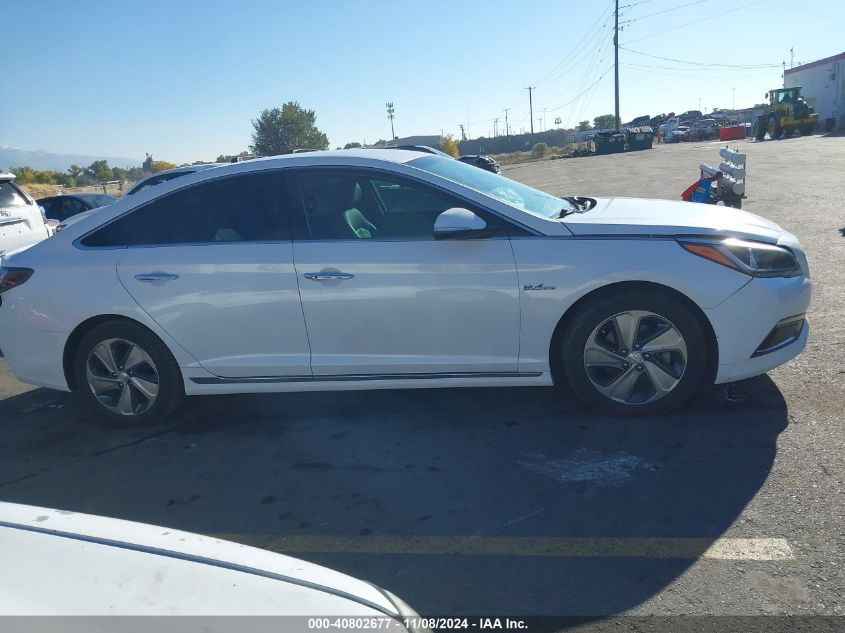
(126, 373)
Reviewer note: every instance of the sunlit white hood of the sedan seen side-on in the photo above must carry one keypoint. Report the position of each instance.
(633, 216)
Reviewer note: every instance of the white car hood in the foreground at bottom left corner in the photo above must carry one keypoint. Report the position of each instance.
(63, 563)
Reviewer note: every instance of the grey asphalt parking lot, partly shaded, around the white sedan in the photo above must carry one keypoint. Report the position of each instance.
(497, 501)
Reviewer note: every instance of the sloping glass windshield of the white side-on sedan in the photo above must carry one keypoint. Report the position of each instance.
(502, 189)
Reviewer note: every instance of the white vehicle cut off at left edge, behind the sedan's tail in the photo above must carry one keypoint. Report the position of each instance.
(22, 221)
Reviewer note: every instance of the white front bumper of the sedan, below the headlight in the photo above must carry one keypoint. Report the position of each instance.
(744, 321)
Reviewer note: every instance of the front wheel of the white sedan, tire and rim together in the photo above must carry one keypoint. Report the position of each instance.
(635, 352)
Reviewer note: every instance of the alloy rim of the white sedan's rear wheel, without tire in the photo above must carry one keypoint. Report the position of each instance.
(122, 376)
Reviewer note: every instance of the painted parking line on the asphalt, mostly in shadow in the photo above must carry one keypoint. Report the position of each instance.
(675, 548)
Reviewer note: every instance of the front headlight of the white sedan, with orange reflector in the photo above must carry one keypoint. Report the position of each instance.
(752, 258)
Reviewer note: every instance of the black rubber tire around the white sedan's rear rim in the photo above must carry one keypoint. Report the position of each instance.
(168, 377)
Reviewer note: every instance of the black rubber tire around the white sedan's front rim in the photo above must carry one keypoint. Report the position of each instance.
(653, 300)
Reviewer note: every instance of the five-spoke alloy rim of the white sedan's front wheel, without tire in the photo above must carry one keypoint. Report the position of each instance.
(635, 357)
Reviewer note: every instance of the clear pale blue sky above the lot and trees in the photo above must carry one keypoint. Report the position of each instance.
(183, 79)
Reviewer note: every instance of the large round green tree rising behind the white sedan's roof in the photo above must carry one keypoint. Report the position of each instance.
(280, 131)
